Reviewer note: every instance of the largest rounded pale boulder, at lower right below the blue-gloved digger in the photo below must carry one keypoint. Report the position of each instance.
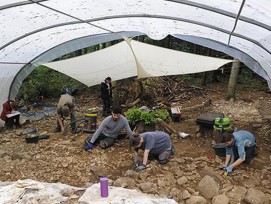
(208, 187)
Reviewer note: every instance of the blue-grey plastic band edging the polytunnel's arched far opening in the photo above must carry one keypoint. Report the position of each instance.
(84, 42)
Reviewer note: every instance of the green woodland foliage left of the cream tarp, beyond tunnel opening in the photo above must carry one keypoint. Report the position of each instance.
(45, 82)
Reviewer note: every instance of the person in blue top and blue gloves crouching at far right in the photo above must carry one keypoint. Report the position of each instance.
(240, 147)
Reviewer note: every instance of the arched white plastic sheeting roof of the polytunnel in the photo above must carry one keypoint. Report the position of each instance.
(37, 31)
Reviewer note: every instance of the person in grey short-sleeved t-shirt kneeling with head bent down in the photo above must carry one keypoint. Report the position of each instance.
(155, 144)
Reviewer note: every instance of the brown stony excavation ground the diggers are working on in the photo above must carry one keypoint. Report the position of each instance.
(192, 176)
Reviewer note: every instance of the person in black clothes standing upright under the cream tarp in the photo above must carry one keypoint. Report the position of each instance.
(106, 95)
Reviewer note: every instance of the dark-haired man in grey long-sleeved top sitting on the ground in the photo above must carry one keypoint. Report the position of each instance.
(109, 130)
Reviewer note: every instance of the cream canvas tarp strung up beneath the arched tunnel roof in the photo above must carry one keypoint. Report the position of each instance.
(132, 58)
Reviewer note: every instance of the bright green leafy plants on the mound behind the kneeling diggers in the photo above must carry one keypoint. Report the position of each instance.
(134, 115)
